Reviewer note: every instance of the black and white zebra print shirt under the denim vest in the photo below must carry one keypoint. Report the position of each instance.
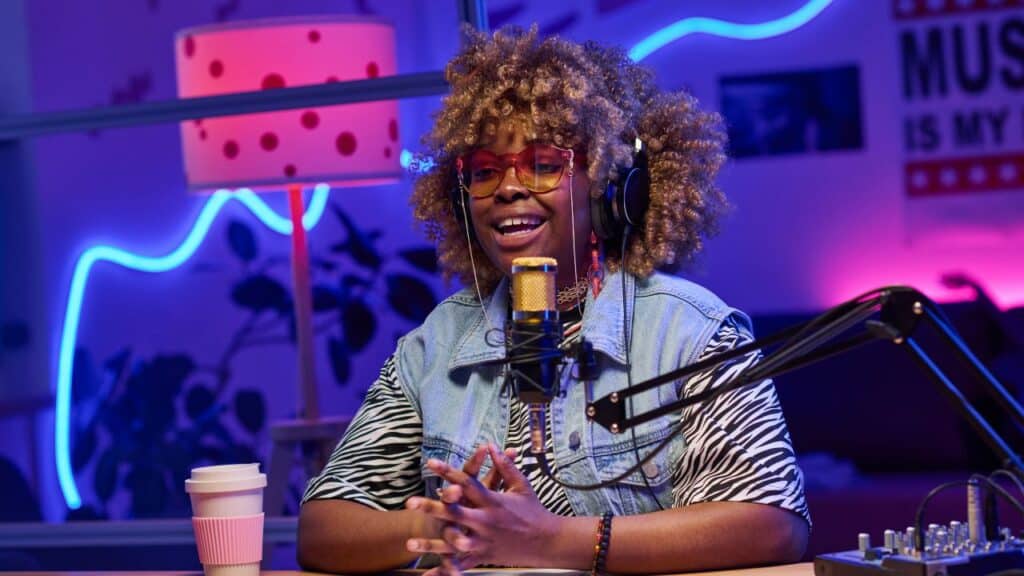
(738, 446)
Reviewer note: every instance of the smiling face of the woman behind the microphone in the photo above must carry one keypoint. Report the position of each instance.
(515, 222)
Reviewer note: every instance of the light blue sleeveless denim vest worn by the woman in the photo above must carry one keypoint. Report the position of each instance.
(463, 405)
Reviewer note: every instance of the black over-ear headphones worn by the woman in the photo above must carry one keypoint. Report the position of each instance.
(624, 202)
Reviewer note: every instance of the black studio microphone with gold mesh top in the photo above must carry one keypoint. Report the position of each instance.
(534, 355)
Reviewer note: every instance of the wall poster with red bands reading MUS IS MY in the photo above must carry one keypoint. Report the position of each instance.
(962, 83)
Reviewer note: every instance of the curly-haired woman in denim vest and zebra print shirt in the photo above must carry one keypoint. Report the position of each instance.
(437, 461)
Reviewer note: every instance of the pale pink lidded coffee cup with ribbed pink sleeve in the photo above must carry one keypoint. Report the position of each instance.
(228, 518)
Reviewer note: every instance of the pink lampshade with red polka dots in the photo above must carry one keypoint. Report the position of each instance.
(351, 145)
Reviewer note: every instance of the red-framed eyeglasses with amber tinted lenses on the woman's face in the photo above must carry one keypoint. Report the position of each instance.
(539, 169)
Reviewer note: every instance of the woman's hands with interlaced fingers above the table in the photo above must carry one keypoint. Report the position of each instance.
(498, 520)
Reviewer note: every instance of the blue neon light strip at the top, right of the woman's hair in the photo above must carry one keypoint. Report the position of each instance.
(687, 27)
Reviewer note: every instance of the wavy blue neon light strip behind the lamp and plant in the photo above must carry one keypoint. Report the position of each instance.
(179, 257)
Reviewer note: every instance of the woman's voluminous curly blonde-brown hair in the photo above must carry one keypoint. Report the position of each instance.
(593, 100)
